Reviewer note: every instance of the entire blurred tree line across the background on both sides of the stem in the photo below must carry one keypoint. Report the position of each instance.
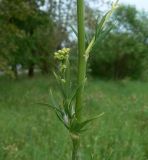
(32, 30)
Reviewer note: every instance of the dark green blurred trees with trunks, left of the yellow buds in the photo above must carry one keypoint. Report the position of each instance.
(28, 35)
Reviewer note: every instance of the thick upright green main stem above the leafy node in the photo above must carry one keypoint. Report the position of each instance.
(81, 57)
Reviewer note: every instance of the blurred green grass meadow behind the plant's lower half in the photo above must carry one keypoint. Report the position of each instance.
(32, 132)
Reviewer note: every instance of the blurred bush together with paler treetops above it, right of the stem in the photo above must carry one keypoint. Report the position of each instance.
(124, 51)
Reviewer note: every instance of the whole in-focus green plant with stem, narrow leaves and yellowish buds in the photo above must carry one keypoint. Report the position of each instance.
(69, 107)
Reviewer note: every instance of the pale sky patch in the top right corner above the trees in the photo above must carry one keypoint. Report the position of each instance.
(140, 4)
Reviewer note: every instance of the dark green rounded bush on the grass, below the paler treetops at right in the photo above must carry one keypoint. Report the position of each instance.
(119, 56)
